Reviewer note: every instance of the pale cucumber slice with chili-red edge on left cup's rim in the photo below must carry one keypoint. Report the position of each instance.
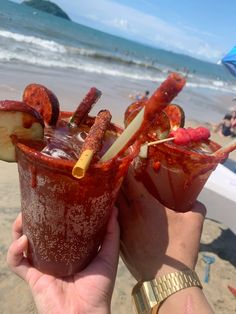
(18, 121)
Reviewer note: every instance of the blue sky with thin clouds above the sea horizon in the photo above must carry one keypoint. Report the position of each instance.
(200, 28)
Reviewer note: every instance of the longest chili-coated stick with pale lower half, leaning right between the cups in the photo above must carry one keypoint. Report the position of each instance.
(140, 125)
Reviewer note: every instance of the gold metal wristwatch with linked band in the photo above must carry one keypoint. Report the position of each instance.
(148, 295)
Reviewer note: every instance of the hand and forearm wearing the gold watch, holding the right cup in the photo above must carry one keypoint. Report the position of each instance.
(156, 241)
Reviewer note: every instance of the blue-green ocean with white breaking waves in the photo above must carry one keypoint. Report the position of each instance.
(34, 38)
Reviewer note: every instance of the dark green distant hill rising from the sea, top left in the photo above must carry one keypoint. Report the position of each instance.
(47, 6)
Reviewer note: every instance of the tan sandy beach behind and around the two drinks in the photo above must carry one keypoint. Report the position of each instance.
(218, 240)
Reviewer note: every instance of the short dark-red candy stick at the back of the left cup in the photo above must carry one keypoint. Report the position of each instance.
(84, 107)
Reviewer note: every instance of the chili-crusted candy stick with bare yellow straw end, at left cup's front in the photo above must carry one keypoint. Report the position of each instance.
(92, 144)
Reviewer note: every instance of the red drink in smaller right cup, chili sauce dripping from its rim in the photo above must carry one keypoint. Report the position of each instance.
(174, 174)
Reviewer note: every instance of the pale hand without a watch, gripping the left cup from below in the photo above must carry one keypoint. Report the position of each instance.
(88, 291)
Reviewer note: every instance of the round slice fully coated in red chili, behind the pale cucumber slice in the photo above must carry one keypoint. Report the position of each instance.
(44, 101)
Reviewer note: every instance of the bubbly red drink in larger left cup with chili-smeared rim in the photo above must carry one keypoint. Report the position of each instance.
(65, 218)
